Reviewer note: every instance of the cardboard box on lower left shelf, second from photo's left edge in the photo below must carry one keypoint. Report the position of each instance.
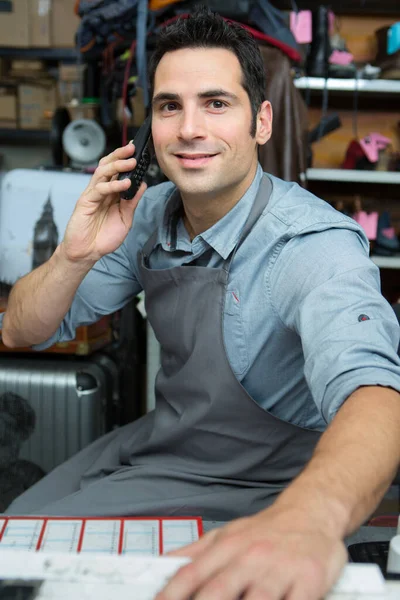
(37, 103)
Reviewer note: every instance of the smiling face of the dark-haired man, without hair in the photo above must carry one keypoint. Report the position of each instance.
(202, 121)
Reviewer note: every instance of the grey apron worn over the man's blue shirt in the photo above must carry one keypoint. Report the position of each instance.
(208, 448)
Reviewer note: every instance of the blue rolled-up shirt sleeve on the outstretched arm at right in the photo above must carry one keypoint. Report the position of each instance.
(325, 287)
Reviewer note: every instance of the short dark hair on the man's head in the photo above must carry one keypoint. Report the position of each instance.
(206, 29)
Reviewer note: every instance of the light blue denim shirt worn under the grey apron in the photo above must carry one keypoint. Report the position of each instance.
(299, 285)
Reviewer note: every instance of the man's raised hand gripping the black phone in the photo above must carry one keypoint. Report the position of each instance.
(101, 220)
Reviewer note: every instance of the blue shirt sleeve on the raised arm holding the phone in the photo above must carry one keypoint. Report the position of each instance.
(109, 285)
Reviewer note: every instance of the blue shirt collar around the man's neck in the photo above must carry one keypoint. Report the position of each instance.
(222, 236)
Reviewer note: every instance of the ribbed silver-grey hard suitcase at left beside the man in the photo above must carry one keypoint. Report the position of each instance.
(52, 408)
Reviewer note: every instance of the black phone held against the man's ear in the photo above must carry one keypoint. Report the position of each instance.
(144, 153)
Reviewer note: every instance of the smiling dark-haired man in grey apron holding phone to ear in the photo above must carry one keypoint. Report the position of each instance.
(272, 327)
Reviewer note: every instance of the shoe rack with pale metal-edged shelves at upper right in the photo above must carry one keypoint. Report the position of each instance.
(363, 106)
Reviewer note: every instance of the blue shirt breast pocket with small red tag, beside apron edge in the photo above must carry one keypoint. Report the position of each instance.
(234, 333)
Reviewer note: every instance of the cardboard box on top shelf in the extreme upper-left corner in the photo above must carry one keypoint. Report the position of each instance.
(14, 25)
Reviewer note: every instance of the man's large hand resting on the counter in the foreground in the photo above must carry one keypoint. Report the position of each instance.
(274, 555)
